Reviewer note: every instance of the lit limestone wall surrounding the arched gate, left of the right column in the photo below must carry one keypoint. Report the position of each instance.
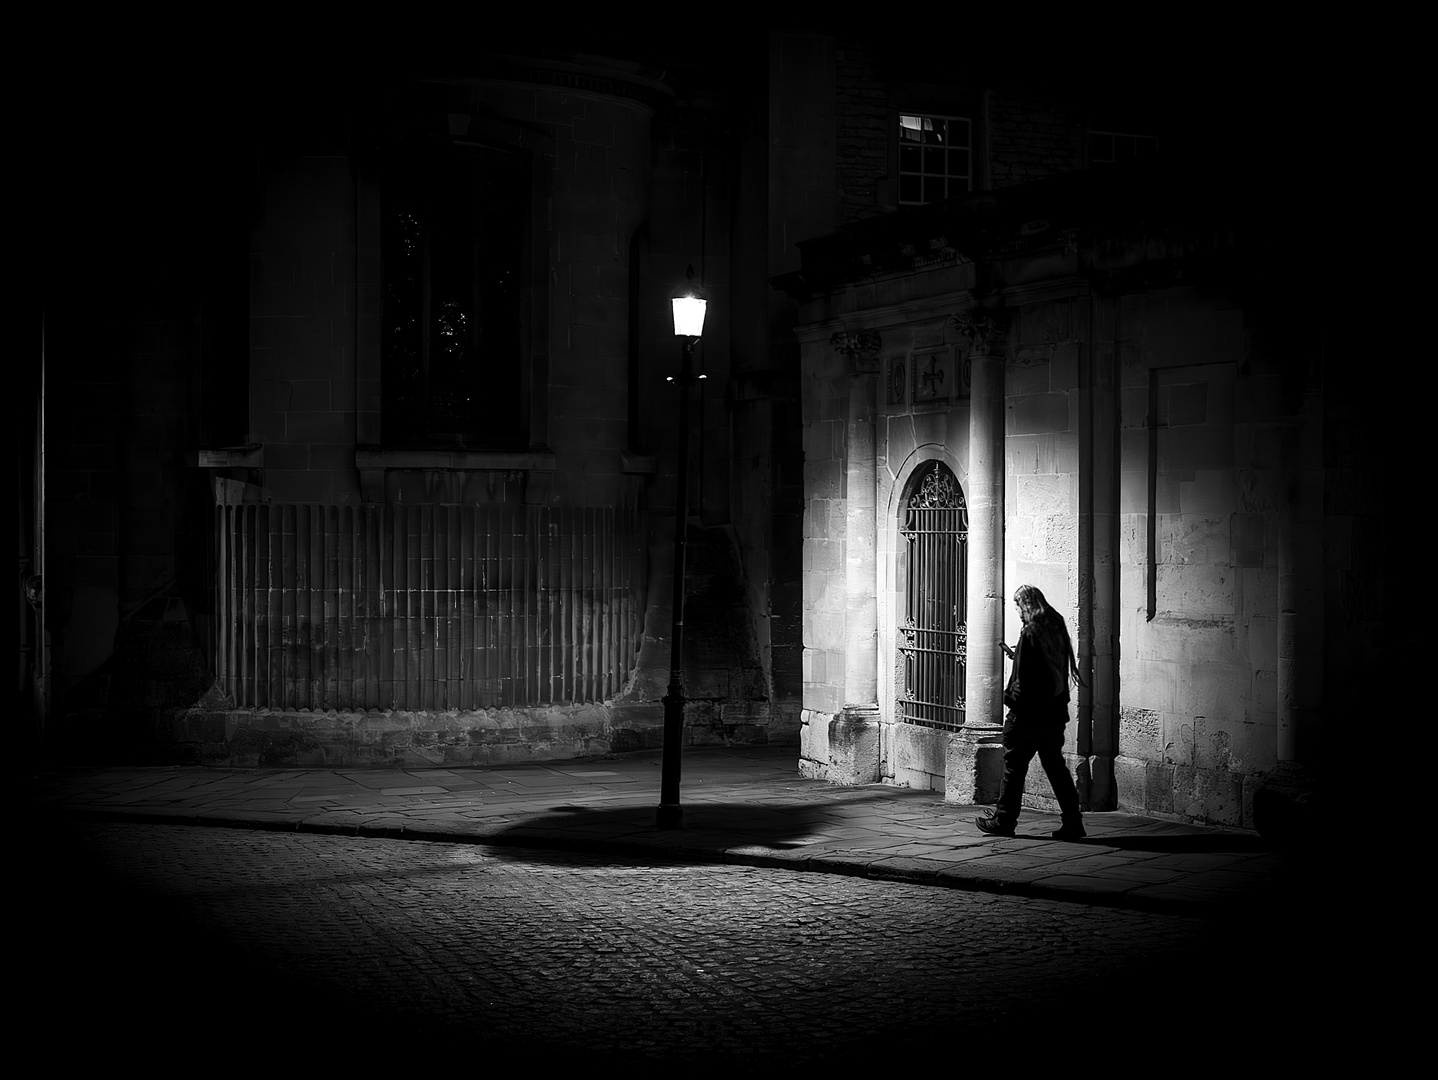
(918, 416)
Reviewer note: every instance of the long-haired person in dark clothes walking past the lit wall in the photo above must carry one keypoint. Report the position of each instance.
(1038, 701)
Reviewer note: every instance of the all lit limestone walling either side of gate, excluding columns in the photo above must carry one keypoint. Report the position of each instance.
(1157, 474)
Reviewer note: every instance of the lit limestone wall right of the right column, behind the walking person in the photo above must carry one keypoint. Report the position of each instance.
(1191, 516)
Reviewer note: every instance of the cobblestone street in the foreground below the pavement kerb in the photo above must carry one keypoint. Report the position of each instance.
(379, 950)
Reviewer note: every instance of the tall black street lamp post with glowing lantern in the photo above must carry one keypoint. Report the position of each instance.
(690, 324)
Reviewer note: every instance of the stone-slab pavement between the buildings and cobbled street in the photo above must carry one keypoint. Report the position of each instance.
(740, 805)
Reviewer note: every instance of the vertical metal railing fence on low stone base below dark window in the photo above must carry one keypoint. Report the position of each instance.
(426, 608)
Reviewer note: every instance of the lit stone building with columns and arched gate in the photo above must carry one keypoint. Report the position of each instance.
(1117, 415)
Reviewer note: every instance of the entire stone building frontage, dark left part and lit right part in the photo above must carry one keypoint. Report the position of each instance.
(1027, 352)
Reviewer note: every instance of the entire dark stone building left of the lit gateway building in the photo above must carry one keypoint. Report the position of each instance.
(418, 507)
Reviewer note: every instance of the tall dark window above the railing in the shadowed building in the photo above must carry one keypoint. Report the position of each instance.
(454, 242)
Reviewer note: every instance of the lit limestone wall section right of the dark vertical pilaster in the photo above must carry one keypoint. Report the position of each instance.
(1204, 480)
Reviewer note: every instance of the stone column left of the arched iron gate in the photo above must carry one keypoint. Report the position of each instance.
(855, 733)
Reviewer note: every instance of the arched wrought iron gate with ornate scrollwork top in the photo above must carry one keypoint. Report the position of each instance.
(934, 566)
